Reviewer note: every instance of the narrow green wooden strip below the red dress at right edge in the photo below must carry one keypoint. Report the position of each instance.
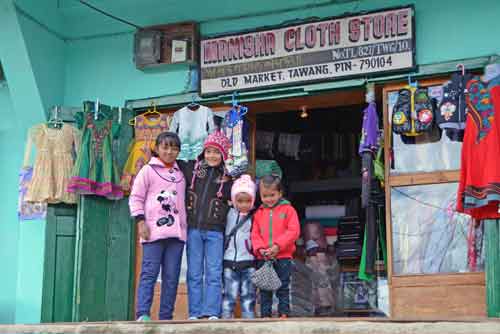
(492, 235)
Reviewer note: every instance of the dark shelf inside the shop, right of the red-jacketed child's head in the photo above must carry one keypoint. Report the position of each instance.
(344, 183)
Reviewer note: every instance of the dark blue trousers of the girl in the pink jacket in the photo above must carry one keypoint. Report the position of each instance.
(167, 254)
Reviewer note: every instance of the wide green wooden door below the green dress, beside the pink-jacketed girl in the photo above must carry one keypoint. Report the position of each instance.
(105, 250)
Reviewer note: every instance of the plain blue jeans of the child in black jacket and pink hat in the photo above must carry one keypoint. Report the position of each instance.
(204, 275)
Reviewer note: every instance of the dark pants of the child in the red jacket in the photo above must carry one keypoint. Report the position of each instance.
(283, 268)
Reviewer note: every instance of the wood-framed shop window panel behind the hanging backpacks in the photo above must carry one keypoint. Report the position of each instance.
(436, 255)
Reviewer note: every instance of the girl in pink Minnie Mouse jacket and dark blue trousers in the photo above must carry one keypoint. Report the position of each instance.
(157, 205)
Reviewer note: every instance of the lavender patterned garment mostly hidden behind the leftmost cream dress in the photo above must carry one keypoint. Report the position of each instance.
(28, 210)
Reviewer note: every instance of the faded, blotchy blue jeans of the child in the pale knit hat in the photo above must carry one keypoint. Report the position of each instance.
(238, 282)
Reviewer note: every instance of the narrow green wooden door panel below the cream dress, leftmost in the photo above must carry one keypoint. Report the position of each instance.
(58, 274)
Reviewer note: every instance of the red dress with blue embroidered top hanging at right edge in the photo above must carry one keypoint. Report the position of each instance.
(479, 188)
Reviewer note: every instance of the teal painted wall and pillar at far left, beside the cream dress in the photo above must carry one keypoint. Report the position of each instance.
(33, 59)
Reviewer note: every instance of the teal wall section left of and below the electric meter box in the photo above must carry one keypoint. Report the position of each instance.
(103, 68)
